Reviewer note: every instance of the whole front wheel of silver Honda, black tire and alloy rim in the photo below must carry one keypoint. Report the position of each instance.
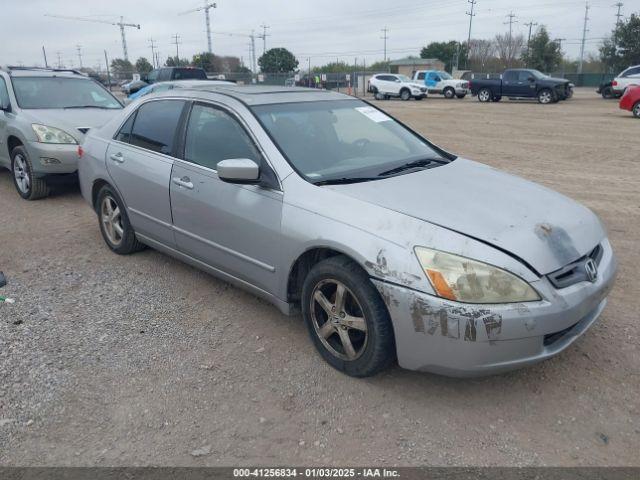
(347, 320)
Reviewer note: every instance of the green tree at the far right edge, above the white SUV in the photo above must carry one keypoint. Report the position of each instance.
(623, 48)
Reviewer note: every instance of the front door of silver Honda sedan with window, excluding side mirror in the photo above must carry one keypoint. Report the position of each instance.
(234, 228)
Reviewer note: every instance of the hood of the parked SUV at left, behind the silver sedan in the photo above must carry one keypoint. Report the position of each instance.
(73, 119)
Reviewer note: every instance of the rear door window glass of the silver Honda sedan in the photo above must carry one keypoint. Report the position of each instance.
(156, 124)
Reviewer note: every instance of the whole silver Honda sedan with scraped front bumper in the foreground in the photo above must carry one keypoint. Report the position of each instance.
(391, 248)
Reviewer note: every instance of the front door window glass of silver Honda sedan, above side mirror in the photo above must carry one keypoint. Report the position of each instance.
(213, 135)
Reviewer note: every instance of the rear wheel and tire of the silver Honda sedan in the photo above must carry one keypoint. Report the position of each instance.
(115, 227)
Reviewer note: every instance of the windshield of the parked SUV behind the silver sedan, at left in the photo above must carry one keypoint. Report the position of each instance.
(57, 92)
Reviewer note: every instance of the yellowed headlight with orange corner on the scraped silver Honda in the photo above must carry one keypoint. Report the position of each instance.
(465, 280)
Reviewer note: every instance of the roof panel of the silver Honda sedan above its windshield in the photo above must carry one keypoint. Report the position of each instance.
(263, 95)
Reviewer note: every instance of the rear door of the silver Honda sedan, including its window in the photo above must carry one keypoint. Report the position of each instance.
(140, 160)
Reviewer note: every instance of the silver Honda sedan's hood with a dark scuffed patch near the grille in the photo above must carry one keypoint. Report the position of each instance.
(542, 228)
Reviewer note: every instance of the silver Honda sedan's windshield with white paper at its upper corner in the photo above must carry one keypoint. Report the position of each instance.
(343, 139)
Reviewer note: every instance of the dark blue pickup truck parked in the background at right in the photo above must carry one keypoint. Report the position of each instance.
(522, 83)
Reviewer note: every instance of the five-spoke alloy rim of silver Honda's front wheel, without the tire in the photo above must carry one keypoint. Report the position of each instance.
(338, 319)
